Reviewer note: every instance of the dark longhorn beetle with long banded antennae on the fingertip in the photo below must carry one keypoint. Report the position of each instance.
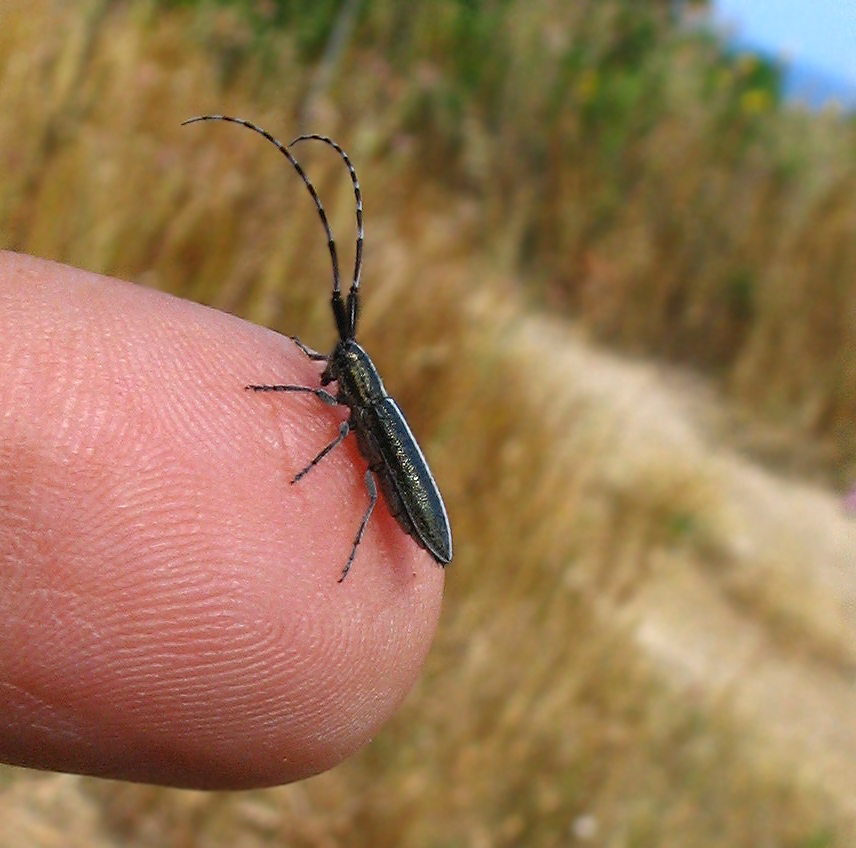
(383, 437)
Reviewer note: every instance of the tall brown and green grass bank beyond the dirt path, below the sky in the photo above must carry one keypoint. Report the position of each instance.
(654, 187)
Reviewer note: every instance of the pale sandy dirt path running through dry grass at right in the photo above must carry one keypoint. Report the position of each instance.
(768, 633)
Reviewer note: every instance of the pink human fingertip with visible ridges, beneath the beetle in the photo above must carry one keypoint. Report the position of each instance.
(169, 604)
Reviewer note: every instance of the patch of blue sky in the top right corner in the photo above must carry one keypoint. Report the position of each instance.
(821, 33)
